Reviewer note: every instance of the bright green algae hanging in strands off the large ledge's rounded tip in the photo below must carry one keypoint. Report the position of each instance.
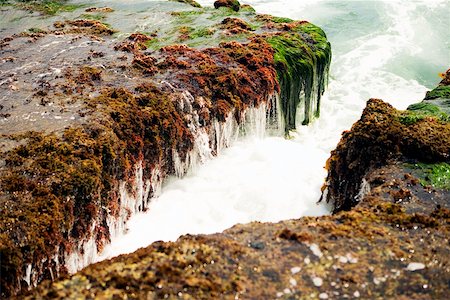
(298, 62)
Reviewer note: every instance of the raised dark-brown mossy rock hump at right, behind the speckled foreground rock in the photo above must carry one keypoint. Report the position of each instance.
(383, 135)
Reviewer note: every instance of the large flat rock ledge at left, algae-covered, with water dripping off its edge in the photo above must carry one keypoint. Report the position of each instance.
(83, 110)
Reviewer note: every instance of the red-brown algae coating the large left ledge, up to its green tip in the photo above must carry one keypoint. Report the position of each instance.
(64, 180)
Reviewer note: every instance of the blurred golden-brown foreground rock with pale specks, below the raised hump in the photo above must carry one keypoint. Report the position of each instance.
(394, 243)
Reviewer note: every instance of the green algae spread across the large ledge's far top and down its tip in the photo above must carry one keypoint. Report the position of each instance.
(302, 53)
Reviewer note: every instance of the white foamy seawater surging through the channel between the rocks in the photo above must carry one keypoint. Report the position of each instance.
(391, 50)
